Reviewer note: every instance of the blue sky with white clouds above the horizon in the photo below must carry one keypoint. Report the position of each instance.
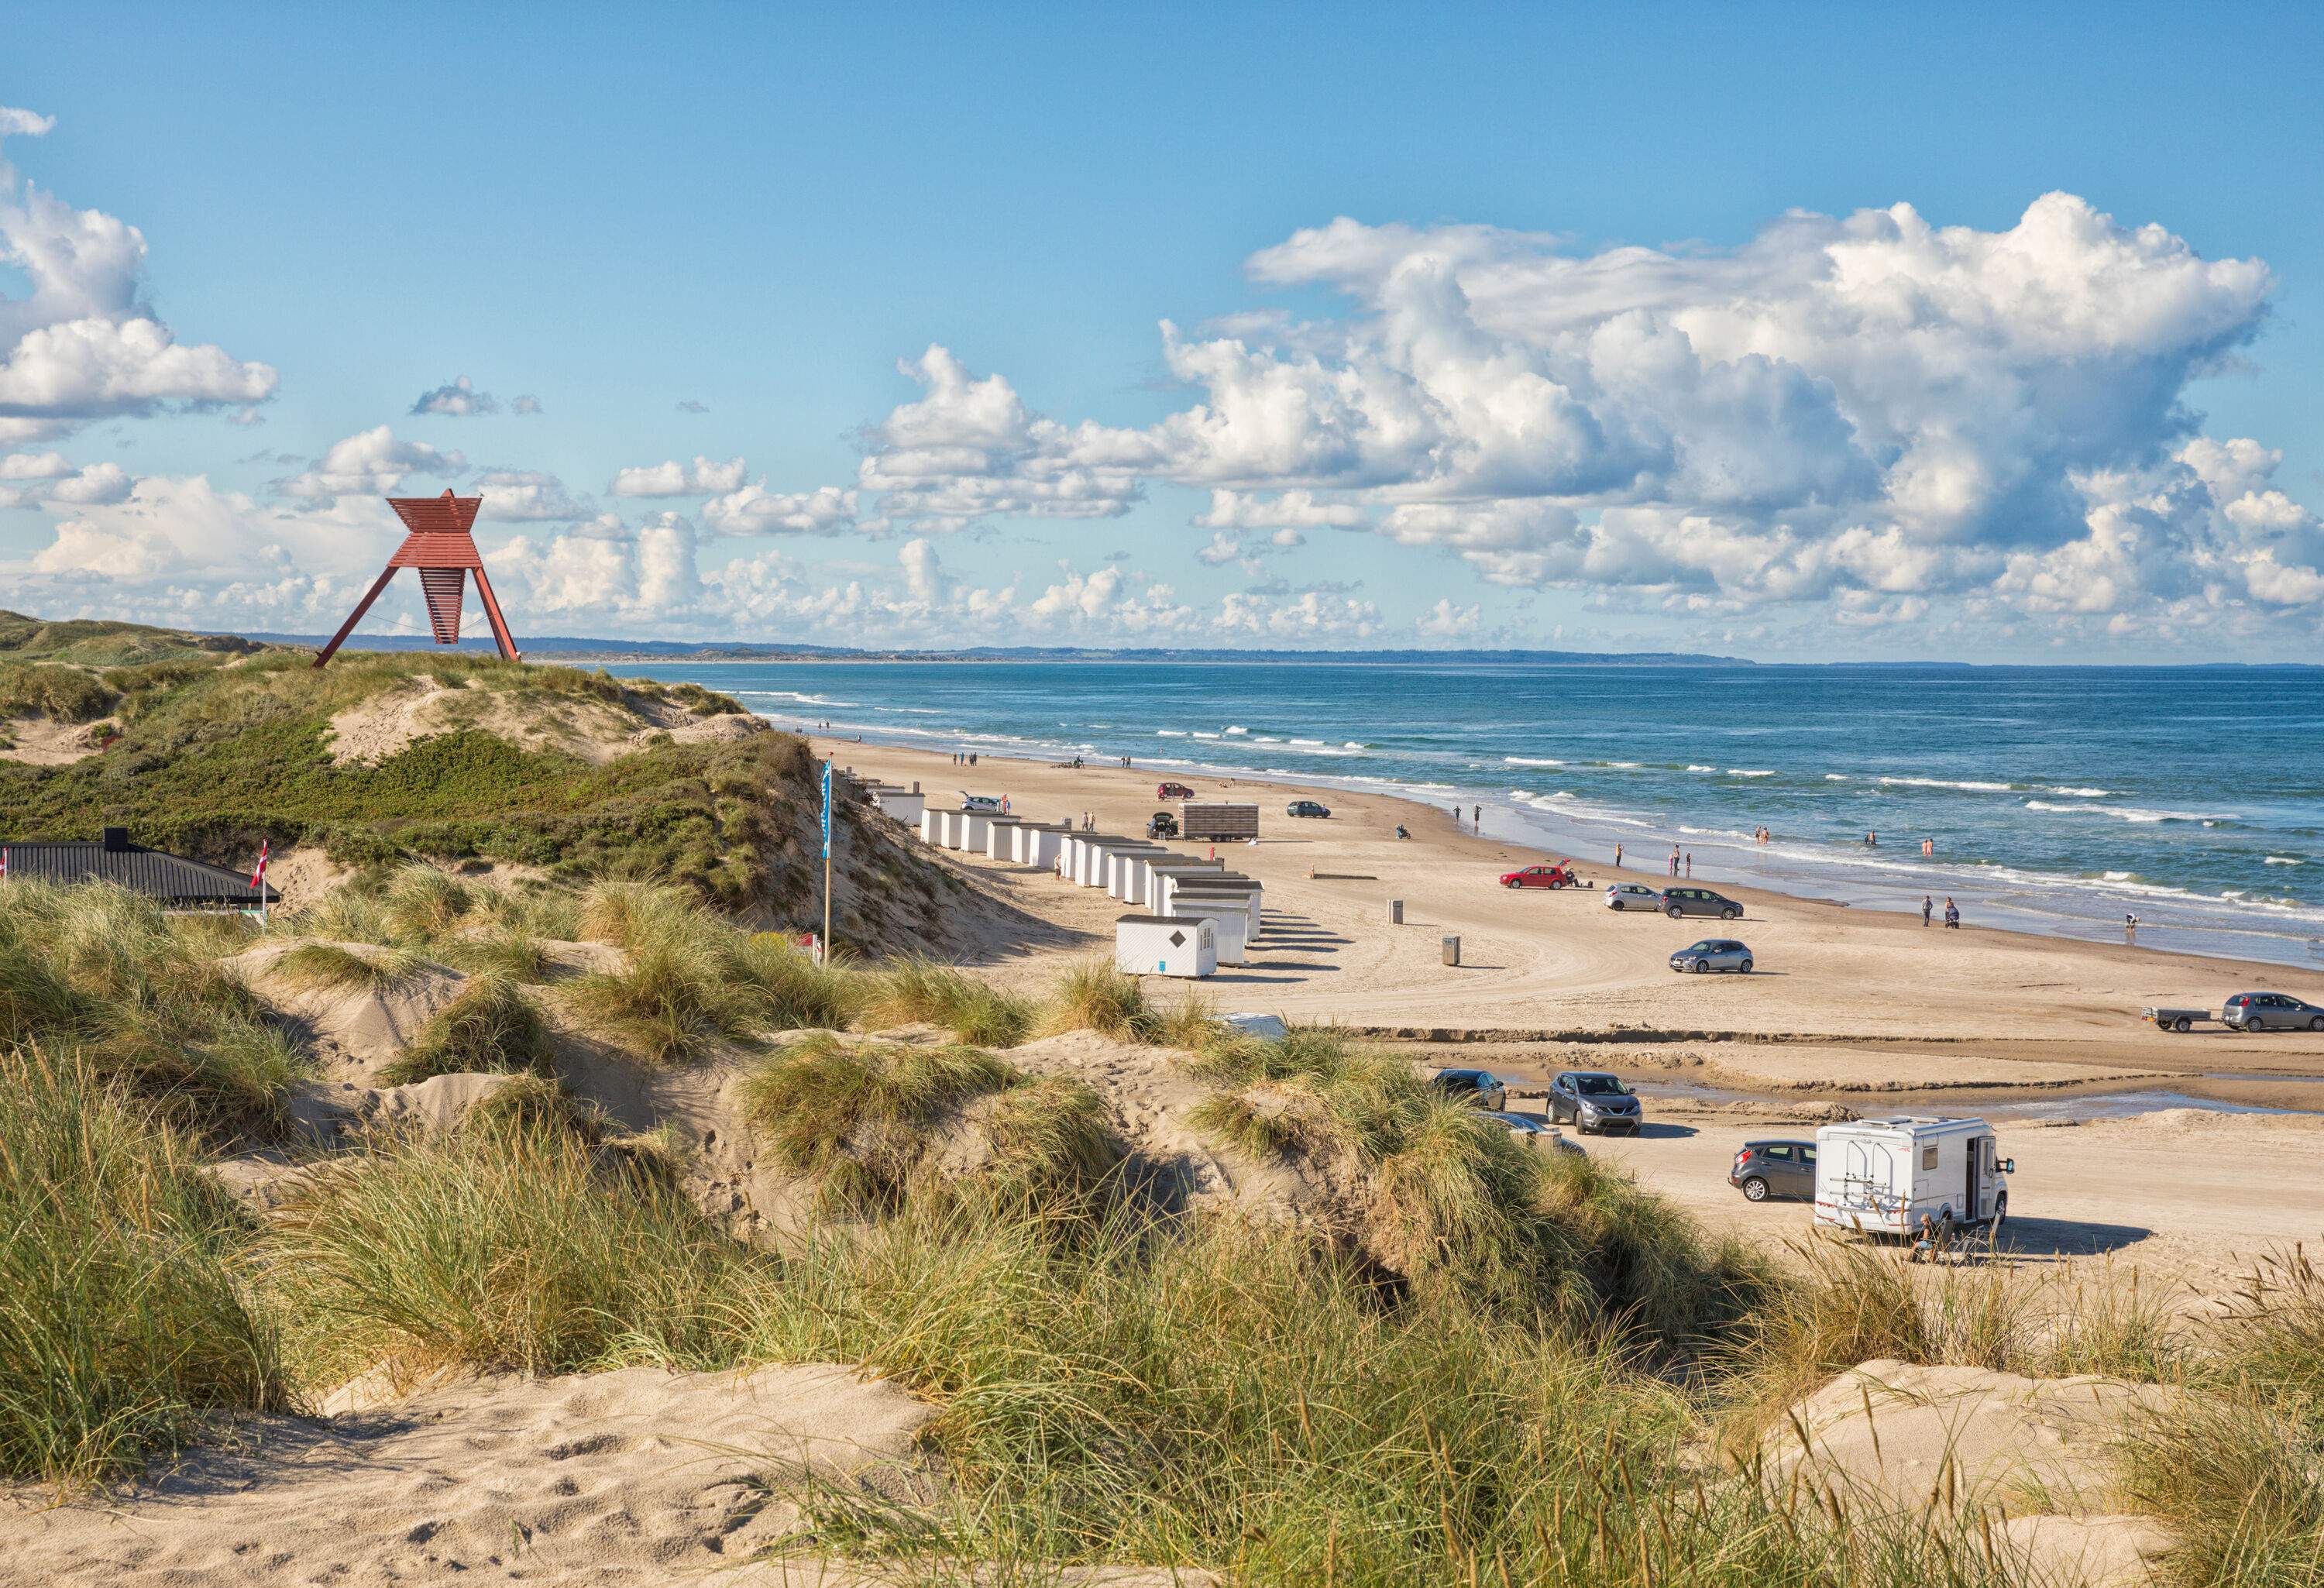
(1784, 331)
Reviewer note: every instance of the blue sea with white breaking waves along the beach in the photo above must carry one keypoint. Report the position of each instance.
(2051, 799)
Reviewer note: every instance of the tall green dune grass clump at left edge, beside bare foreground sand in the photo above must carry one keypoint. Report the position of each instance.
(122, 1312)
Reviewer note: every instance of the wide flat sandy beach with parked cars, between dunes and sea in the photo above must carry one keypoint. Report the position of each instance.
(1846, 1006)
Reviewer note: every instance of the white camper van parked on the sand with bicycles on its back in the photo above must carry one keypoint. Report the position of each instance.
(1911, 1175)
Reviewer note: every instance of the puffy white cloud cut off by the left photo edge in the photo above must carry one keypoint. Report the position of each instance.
(83, 343)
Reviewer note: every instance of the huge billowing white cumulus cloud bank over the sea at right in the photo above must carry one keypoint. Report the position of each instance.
(1867, 413)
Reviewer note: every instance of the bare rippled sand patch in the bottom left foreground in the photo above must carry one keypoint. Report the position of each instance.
(594, 1480)
